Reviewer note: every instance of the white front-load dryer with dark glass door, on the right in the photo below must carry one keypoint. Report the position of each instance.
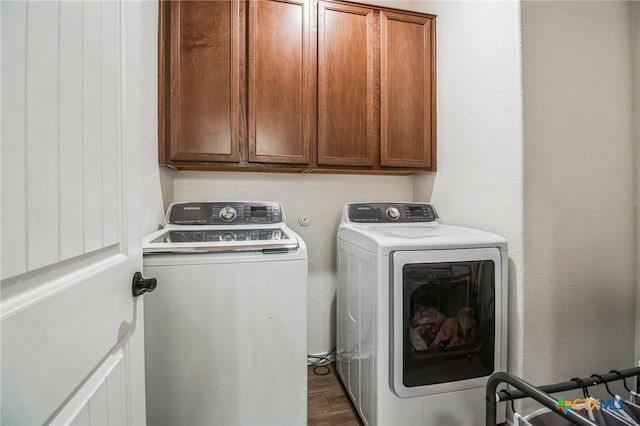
(421, 315)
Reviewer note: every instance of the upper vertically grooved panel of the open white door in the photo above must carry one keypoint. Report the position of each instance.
(64, 144)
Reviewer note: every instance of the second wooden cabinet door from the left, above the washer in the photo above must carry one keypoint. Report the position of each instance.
(281, 81)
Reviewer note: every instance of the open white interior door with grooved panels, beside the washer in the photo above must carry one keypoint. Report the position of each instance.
(71, 332)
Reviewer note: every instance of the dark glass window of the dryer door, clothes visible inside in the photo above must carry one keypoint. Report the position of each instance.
(449, 321)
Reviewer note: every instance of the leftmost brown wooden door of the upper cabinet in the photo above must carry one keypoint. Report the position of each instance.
(204, 121)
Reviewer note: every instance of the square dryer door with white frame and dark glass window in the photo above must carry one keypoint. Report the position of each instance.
(446, 306)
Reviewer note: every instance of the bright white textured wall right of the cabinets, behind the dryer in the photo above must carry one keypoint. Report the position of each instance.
(479, 178)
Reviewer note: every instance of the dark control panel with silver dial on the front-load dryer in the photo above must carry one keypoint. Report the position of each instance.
(391, 212)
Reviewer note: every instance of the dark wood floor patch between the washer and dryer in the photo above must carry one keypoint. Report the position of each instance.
(328, 403)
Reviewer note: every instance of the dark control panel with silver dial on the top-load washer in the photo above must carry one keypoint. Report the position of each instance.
(225, 213)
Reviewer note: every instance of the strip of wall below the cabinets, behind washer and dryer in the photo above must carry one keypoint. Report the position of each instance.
(321, 197)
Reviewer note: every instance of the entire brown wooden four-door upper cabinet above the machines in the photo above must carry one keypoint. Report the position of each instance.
(296, 85)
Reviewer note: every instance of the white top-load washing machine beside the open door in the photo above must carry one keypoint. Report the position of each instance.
(226, 327)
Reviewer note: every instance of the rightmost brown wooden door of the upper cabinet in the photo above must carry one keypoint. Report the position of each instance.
(407, 84)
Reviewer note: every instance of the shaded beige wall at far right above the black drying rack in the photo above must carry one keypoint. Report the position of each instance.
(578, 189)
